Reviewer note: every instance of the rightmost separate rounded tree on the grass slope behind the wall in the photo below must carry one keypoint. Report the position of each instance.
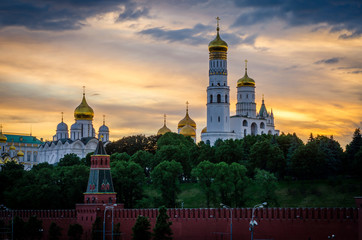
(266, 184)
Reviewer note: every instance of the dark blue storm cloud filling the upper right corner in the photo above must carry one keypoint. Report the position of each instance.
(339, 14)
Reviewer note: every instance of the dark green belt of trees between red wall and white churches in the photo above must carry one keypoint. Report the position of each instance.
(225, 171)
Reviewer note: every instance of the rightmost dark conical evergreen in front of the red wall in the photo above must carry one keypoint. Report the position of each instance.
(162, 229)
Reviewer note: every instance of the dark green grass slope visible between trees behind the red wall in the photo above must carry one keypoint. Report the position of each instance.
(336, 192)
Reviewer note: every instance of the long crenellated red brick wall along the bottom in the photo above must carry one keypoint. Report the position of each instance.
(274, 223)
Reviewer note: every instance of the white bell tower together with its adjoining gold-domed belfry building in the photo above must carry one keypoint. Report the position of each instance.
(247, 121)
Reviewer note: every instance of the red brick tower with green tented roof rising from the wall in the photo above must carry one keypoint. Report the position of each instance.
(100, 186)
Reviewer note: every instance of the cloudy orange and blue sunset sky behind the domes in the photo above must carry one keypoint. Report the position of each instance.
(141, 59)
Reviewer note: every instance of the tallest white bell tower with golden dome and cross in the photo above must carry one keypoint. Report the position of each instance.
(218, 103)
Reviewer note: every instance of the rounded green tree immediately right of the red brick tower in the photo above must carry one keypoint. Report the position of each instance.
(128, 179)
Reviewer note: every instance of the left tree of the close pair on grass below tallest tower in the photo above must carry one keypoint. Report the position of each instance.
(205, 172)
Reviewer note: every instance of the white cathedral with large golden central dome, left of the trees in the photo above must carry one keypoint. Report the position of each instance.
(82, 139)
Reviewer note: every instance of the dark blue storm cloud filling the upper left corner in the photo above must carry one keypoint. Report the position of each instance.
(59, 15)
